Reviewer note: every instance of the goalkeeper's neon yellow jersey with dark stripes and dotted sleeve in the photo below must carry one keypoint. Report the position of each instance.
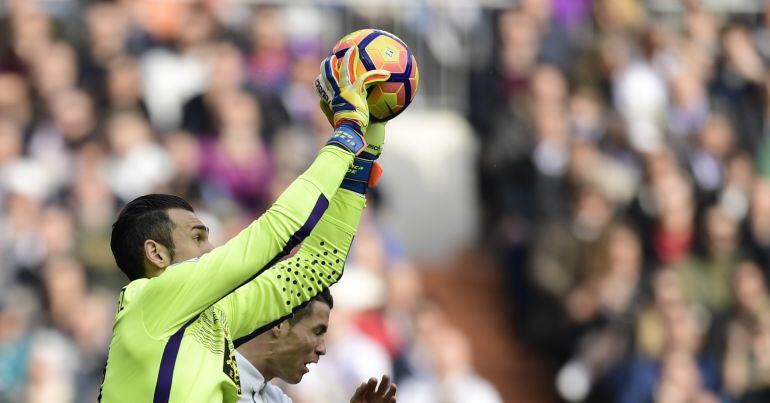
(174, 335)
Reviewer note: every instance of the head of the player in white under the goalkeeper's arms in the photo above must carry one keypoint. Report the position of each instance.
(286, 349)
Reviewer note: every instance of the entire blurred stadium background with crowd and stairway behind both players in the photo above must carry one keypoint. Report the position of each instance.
(575, 208)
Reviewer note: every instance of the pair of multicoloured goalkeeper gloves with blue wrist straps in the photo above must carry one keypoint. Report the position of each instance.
(343, 95)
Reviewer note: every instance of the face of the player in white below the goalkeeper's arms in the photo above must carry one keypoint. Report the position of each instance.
(305, 342)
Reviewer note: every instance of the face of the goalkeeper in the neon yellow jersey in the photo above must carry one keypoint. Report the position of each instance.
(191, 237)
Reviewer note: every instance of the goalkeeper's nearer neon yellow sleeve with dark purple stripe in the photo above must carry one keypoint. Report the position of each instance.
(186, 289)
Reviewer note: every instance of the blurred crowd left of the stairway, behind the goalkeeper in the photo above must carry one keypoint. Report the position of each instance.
(103, 101)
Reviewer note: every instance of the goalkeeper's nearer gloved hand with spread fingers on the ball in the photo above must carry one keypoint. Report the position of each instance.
(343, 100)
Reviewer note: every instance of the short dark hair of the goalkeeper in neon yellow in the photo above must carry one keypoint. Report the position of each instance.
(145, 217)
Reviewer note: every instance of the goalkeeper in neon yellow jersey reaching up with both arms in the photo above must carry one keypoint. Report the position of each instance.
(188, 306)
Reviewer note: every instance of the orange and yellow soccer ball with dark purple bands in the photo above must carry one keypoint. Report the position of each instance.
(381, 50)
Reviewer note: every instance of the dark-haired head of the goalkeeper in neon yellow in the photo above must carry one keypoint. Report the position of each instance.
(155, 231)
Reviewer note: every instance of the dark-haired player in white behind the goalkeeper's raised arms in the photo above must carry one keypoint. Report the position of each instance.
(285, 350)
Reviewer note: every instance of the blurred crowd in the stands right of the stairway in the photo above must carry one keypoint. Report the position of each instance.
(625, 170)
